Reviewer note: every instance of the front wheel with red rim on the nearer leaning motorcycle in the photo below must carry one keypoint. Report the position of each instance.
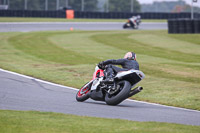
(83, 93)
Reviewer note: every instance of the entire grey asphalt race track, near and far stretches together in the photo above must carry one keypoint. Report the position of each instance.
(18, 92)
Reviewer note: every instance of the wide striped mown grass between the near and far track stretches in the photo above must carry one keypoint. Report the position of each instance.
(171, 63)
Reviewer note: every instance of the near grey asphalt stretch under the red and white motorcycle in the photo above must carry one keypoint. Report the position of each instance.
(18, 92)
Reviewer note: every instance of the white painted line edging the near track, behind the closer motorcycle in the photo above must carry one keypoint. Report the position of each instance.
(50, 83)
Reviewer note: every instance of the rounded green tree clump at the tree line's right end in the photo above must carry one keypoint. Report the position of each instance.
(123, 6)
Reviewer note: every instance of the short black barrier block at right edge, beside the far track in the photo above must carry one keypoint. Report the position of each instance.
(184, 26)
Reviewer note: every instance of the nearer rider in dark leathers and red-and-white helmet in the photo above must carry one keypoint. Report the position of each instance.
(127, 63)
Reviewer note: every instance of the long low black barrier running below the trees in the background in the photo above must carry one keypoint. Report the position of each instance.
(79, 14)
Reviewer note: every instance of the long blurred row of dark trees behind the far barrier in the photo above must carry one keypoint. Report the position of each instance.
(77, 5)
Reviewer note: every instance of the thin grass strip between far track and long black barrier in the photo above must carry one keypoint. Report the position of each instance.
(27, 19)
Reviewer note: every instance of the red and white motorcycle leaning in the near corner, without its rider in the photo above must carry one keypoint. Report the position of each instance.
(111, 93)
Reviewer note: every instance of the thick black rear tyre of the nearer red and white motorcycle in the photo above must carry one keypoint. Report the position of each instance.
(125, 88)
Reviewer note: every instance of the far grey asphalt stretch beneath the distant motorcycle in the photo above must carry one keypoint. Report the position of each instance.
(65, 26)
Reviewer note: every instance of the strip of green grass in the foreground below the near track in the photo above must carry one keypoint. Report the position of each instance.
(45, 122)
